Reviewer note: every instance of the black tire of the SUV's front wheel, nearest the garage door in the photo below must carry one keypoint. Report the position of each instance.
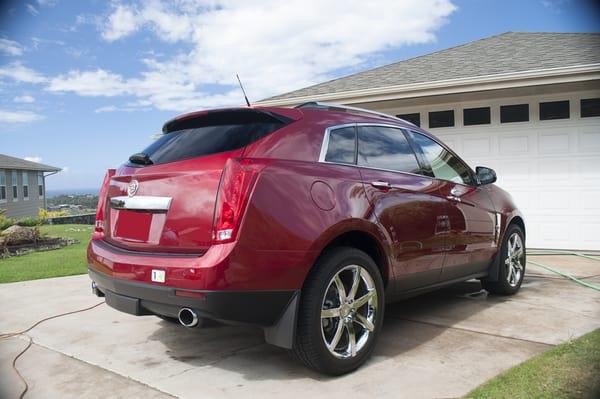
(503, 285)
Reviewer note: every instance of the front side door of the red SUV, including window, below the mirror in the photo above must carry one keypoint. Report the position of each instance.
(471, 242)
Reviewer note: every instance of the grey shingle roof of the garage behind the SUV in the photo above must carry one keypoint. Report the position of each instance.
(505, 53)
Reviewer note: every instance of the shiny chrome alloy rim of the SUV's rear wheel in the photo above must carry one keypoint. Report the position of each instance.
(348, 311)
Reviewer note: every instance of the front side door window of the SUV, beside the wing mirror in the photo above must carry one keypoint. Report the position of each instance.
(444, 165)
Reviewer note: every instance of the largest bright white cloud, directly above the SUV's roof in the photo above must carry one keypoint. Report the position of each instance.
(275, 46)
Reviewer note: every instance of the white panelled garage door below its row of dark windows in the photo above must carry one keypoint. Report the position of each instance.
(551, 168)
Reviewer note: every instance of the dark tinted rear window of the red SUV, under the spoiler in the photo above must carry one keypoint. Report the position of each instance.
(215, 132)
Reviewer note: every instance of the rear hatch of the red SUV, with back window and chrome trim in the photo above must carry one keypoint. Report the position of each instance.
(163, 199)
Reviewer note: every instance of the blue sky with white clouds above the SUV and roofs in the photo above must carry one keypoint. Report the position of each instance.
(84, 84)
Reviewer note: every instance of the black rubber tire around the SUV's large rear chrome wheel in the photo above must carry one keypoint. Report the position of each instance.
(309, 344)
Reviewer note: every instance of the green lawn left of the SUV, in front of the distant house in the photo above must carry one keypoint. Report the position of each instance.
(66, 261)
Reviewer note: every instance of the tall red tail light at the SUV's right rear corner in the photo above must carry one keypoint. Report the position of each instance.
(237, 181)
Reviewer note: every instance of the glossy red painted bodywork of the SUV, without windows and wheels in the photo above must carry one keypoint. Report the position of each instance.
(425, 238)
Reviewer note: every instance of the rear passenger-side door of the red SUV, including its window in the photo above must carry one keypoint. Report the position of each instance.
(406, 204)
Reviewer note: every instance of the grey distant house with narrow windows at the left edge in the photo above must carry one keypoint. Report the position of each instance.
(23, 186)
